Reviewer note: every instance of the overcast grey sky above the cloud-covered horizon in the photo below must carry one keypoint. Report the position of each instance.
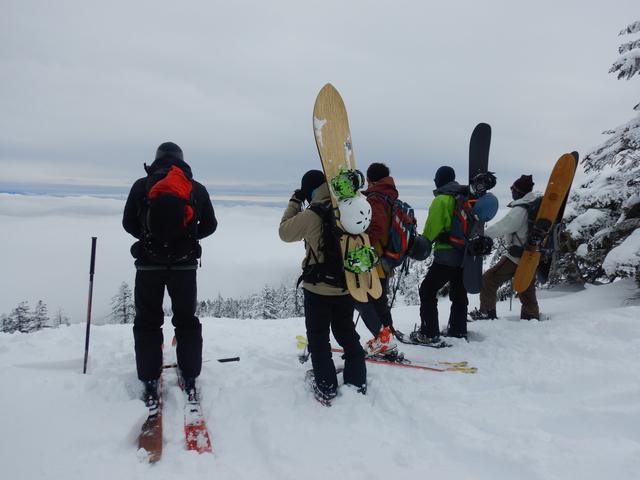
(89, 89)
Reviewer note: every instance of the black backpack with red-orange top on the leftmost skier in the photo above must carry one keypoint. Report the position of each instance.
(169, 217)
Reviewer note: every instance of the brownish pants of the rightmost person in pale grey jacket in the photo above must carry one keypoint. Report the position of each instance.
(502, 272)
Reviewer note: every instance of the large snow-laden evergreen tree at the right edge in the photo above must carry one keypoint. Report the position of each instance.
(604, 211)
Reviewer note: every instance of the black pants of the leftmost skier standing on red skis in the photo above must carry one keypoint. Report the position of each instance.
(147, 326)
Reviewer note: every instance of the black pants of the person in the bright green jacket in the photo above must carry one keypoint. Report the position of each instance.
(437, 277)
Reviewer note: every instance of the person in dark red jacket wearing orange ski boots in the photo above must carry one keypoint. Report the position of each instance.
(376, 313)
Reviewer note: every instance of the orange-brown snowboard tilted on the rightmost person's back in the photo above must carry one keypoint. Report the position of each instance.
(553, 199)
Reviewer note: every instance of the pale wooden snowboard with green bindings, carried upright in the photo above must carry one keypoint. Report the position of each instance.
(333, 139)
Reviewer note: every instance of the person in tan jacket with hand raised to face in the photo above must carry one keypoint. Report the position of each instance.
(328, 305)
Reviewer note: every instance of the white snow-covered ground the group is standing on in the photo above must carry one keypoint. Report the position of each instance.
(557, 399)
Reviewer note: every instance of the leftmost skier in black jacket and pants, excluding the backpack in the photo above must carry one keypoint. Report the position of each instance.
(179, 278)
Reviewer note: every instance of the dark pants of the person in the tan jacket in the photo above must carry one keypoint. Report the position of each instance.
(325, 314)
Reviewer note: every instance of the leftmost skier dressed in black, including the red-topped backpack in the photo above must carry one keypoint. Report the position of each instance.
(169, 263)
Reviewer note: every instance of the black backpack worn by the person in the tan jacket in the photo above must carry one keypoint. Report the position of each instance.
(331, 271)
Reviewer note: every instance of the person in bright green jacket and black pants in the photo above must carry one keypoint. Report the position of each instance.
(446, 266)
